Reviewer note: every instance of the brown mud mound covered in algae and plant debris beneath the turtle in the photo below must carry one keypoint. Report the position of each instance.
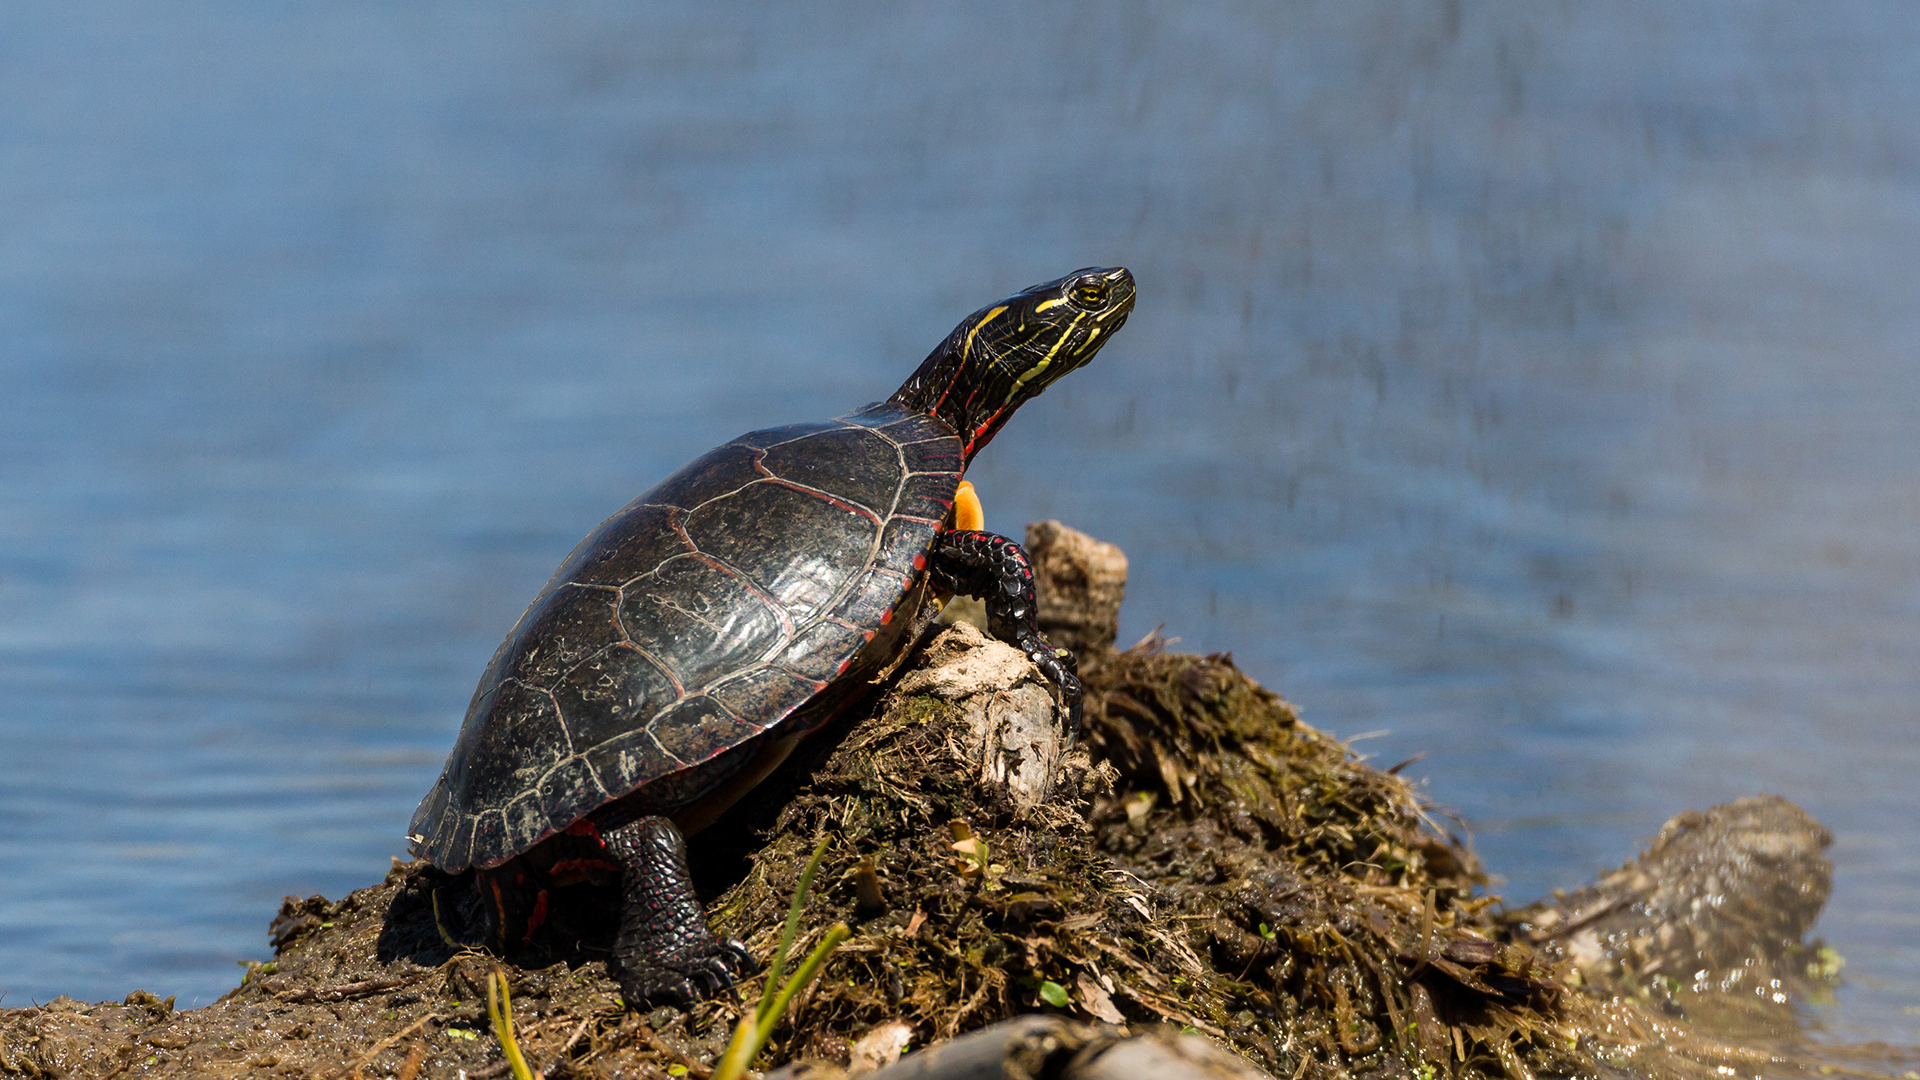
(1203, 860)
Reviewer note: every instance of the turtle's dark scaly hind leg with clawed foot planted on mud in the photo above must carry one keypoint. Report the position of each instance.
(665, 952)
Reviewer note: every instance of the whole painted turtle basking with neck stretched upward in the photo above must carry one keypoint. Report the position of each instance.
(686, 647)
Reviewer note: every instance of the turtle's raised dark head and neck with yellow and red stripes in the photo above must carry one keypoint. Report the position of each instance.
(1007, 353)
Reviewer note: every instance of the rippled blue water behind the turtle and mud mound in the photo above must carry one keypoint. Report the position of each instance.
(1531, 383)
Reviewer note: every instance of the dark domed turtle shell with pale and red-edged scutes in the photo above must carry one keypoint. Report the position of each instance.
(692, 624)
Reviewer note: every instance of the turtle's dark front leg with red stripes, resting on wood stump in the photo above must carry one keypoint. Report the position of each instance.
(992, 568)
